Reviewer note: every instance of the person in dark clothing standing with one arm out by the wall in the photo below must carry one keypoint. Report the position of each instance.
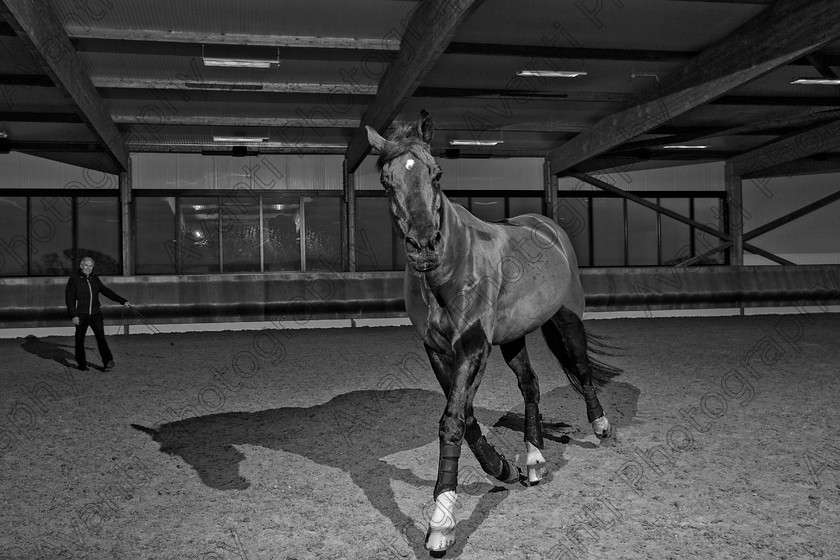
(82, 297)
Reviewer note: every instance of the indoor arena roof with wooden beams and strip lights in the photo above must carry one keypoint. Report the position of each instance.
(641, 83)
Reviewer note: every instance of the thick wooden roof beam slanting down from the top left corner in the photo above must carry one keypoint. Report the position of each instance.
(39, 28)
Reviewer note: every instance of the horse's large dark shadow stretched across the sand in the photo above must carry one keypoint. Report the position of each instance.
(351, 432)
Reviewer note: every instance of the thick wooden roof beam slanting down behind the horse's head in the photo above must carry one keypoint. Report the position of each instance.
(428, 33)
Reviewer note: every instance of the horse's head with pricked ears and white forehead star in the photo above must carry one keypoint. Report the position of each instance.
(410, 176)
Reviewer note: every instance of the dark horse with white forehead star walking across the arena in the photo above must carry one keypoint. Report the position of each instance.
(470, 285)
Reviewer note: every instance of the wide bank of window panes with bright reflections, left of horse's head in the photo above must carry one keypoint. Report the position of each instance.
(237, 231)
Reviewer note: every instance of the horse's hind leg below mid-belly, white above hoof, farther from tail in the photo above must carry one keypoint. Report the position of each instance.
(516, 356)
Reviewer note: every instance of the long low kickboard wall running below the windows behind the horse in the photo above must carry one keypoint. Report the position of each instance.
(37, 302)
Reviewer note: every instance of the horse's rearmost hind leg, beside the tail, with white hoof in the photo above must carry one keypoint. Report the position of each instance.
(572, 351)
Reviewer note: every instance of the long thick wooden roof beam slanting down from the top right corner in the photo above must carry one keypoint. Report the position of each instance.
(784, 32)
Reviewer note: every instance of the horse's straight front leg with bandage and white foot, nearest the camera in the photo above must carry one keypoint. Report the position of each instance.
(460, 382)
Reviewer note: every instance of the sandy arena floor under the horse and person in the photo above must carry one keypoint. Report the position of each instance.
(315, 444)
